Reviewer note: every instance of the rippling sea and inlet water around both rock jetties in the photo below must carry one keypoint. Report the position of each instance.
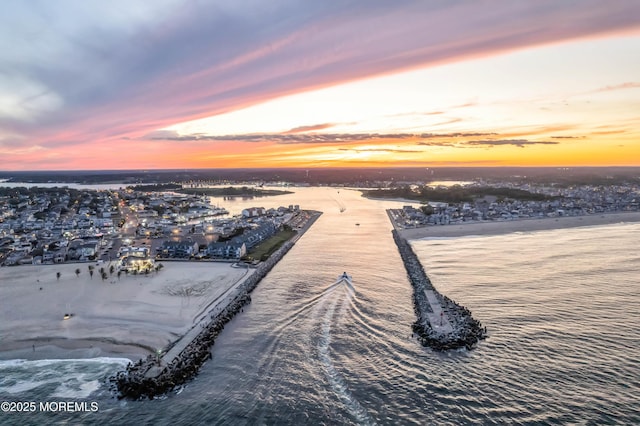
(561, 308)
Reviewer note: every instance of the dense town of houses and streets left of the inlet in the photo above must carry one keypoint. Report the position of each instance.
(131, 230)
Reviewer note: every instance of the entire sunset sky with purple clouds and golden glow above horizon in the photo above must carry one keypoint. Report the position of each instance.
(166, 84)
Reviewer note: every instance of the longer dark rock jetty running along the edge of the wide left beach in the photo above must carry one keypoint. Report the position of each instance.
(149, 377)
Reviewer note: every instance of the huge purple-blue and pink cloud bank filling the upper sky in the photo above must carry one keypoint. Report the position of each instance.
(94, 72)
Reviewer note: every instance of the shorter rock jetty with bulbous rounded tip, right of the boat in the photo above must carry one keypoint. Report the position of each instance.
(465, 331)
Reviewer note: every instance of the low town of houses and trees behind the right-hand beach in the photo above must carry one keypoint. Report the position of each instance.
(485, 201)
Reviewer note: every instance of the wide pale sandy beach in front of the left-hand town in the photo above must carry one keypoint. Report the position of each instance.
(128, 317)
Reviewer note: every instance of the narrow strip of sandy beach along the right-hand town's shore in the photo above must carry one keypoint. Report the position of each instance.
(523, 225)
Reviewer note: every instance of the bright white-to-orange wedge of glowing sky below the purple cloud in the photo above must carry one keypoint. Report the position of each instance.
(524, 108)
